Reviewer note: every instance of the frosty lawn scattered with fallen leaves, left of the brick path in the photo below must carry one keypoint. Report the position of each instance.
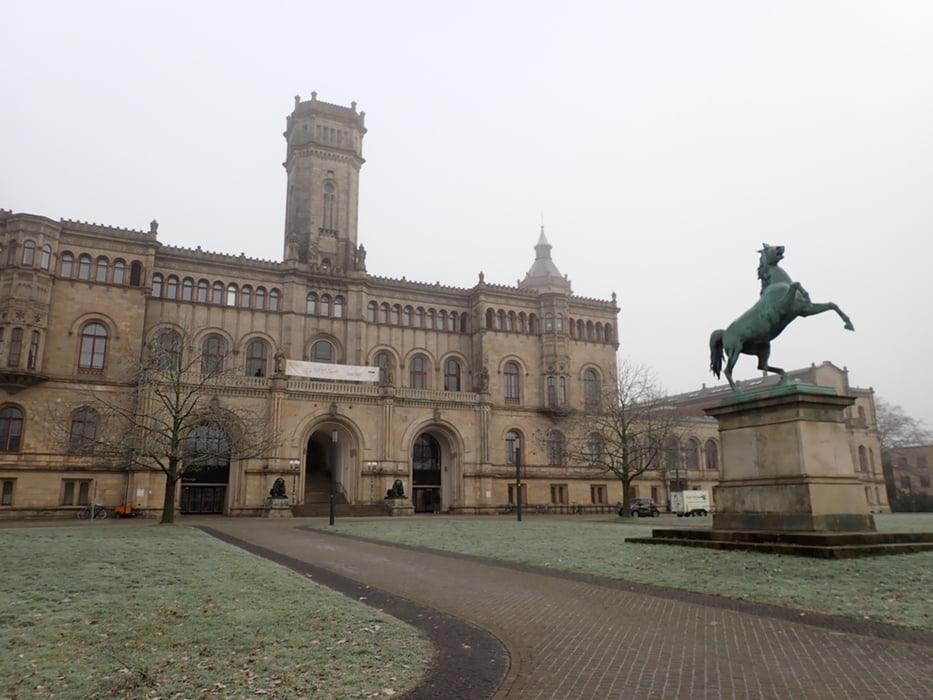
(169, 612)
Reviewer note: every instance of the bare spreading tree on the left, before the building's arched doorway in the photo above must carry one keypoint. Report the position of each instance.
(173, 419)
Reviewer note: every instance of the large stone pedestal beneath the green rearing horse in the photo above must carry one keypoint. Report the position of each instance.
(787, 464)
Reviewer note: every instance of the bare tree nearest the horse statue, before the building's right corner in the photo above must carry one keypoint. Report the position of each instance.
(624, 430)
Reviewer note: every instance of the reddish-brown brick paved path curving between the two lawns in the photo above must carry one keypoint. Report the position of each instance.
(573, 637)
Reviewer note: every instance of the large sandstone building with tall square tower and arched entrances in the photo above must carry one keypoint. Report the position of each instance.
(468, 377)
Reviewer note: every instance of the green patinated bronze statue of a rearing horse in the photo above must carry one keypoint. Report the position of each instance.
(781, 301)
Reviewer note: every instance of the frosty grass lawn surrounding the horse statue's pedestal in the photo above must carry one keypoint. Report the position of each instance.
(896, 589)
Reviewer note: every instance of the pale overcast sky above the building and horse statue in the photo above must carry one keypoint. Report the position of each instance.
(659, 142)
